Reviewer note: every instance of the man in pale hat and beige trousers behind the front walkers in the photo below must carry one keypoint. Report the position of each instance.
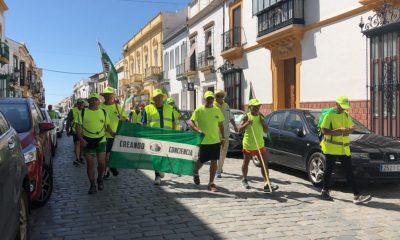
(228, 118)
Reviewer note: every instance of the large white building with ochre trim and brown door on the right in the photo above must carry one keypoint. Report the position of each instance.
(303, 54)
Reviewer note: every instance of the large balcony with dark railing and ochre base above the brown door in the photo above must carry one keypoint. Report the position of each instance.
(280, 23)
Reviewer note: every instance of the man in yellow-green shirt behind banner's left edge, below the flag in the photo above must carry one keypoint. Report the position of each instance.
(115, 114)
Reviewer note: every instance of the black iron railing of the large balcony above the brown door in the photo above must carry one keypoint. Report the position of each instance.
(279, 15)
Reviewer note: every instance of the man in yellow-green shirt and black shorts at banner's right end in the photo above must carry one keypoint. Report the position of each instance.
(208, 119)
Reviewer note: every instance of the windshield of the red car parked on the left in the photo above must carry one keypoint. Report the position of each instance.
(17, 115)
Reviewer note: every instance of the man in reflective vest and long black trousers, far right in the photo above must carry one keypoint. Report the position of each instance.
(335, 145)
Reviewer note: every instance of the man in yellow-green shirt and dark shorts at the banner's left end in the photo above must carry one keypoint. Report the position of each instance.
(91, 128)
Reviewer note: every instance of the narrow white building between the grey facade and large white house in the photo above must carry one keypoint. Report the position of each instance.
(204, 48)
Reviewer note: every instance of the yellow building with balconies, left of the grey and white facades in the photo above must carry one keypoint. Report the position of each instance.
(143, 63)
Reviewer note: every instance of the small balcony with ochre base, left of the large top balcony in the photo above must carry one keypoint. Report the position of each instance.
(232, 43)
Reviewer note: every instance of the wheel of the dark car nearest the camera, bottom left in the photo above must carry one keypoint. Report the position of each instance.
(23, 216)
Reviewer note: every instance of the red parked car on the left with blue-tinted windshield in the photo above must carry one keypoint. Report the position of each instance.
(27, 119)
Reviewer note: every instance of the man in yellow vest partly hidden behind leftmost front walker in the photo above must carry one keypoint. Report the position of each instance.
(73, 115)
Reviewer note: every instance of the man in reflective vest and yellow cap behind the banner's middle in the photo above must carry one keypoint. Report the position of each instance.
(159, 115)
